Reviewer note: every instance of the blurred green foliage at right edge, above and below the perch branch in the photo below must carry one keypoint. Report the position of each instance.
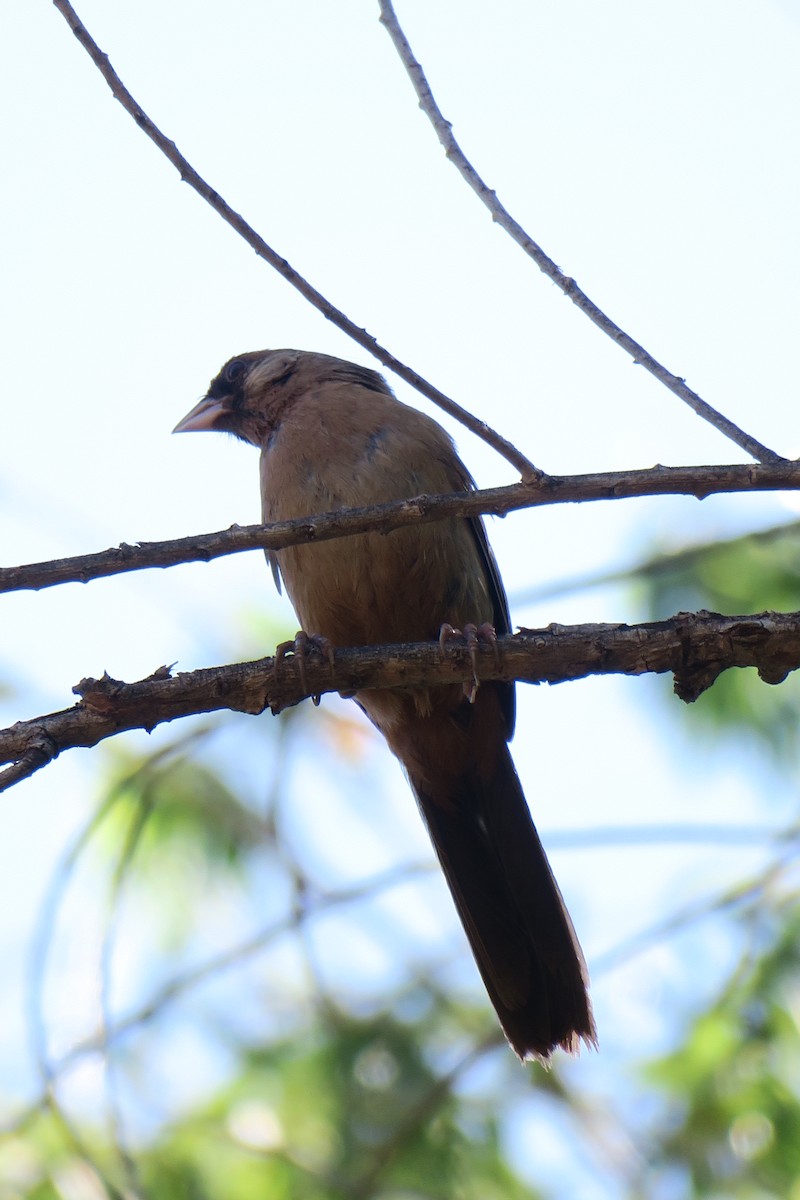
(757, 573)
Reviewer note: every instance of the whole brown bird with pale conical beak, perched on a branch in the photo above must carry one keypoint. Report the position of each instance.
(333, 435)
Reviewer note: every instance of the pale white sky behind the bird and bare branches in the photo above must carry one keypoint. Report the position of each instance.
(651, 149)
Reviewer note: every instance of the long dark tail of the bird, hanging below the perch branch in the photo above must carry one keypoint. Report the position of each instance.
(507, 896)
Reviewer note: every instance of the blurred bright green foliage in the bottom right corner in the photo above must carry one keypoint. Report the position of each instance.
(733, 1087)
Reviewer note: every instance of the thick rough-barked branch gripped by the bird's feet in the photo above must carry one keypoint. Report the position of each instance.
(696, 647)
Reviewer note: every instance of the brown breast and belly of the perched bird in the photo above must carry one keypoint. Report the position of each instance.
(372, 589)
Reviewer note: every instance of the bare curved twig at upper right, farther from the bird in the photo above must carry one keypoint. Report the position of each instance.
(503, 218)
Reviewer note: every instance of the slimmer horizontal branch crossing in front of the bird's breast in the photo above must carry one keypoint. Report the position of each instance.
(699, 482)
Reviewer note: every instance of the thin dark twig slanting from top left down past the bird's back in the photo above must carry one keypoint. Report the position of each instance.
(237, 223)
